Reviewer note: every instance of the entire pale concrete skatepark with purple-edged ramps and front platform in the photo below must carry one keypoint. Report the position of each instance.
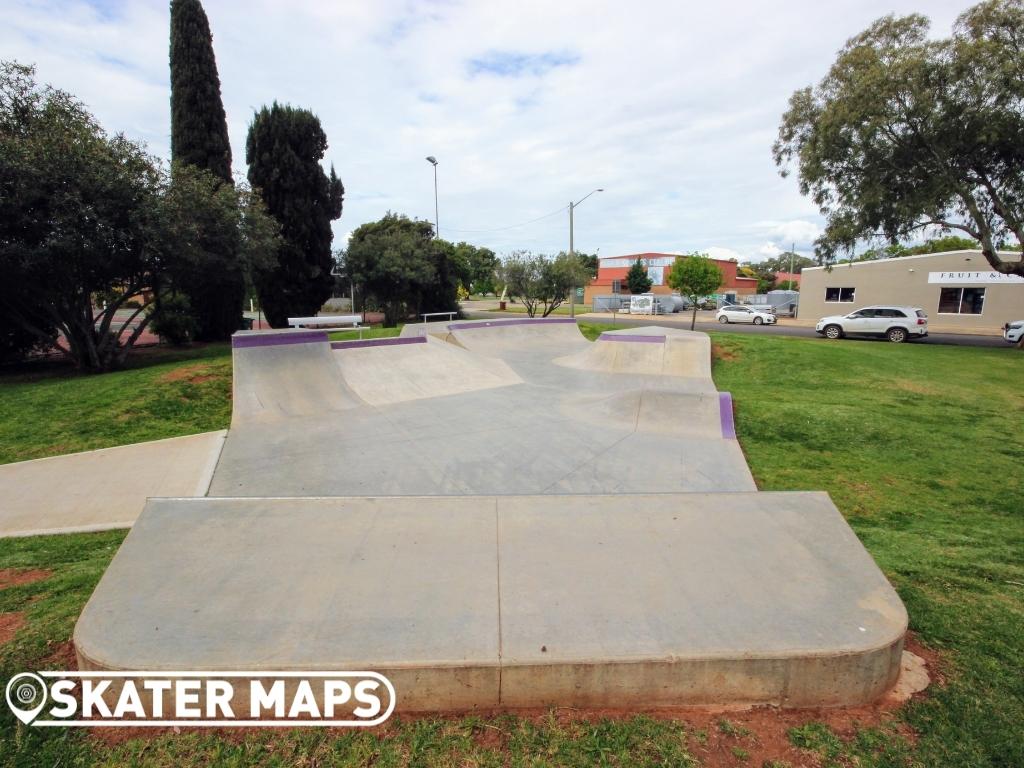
(498, 515)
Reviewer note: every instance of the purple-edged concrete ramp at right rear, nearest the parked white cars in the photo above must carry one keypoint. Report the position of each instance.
(650, 351)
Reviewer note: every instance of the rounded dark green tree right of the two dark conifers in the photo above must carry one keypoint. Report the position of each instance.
(398, 264)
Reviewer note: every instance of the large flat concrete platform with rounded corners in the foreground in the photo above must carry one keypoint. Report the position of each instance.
(638, 602)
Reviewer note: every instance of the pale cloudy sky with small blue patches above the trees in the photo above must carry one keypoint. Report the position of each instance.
(671, 107)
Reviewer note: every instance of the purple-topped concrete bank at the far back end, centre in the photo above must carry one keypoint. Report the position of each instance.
(531, 334)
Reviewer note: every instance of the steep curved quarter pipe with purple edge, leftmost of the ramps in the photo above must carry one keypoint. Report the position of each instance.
(285, 374)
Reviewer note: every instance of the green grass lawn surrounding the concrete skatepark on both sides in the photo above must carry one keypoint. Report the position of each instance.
(919, 446)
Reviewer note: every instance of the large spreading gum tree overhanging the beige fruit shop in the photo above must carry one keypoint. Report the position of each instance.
(908, 133)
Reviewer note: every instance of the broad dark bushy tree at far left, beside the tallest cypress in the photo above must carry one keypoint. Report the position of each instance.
(93, 230)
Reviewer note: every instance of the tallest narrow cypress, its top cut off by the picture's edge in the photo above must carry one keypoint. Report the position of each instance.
(199, 138)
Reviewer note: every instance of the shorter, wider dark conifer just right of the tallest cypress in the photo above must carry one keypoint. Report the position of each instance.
(284, 151)
